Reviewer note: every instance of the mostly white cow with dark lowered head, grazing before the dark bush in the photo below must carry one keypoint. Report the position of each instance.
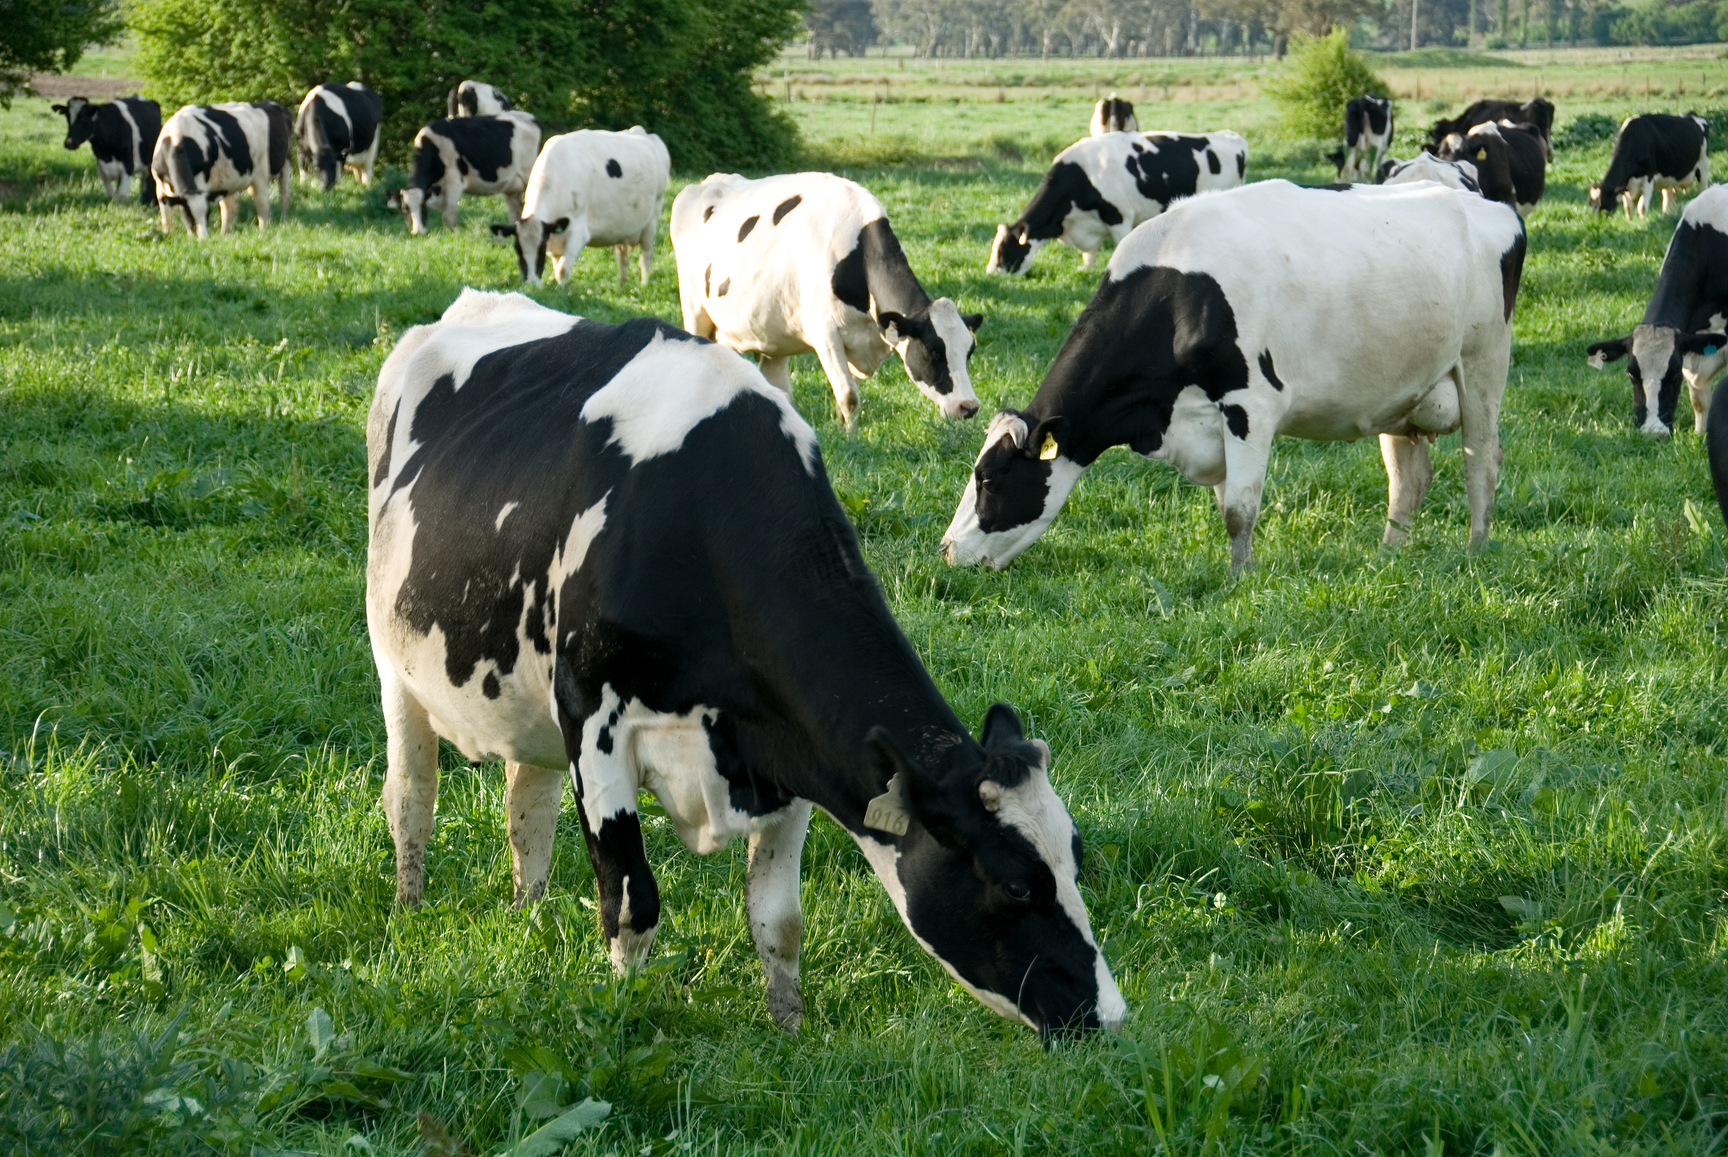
(592, 189)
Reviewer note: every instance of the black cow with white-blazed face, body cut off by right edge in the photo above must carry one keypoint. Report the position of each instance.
(1684, 326)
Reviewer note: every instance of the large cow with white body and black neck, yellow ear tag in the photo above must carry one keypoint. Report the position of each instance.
(1238, 317)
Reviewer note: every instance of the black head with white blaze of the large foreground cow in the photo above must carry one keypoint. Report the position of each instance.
(986, 875)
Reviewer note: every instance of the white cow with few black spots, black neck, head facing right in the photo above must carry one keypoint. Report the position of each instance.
(808, 262)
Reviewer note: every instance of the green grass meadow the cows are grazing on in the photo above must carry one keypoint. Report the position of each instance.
(1390, 852)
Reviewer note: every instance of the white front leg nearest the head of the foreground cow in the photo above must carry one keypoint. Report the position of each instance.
(772, 902)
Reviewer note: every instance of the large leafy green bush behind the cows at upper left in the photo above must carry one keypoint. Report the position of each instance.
(677, 68)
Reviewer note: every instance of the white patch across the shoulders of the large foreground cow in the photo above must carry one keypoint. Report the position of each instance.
(671, 388)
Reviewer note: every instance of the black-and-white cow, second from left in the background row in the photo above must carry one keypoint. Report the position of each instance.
(219, 153)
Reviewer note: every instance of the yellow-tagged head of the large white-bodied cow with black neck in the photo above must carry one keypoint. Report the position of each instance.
(1019, 484)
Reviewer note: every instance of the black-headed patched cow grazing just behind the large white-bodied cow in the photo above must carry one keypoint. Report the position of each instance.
(1102, 187)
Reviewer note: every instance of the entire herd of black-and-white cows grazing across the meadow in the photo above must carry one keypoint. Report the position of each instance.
(613, 553)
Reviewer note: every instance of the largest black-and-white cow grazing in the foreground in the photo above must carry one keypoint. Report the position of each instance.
(613, 552)
